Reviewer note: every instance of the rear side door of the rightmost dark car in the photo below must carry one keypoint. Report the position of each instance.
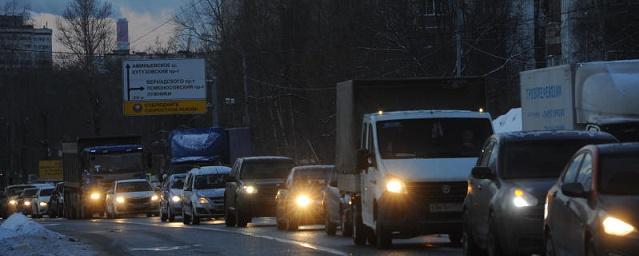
(558, 213)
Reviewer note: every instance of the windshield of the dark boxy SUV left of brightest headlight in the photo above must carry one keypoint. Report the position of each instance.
(266, 170)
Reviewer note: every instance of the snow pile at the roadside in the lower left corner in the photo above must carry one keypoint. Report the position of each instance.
(20, 235)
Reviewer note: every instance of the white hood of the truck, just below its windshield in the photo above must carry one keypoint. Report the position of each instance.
(435, 169)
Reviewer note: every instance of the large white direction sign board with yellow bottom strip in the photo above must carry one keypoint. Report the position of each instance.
(164, 87)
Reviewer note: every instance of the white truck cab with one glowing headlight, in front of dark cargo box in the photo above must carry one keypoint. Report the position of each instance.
(414, 166)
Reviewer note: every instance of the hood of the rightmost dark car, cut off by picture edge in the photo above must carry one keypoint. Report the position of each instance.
(621, 207)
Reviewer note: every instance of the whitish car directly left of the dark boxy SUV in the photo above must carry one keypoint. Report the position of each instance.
(204, 193)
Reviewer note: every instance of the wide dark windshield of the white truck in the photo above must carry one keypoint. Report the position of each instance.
(432, 138)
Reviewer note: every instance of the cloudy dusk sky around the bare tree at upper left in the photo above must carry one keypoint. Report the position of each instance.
(143, 16)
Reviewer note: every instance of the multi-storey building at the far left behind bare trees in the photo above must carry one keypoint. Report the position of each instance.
(22, 46)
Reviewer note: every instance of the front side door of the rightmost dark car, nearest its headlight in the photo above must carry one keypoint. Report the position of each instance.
(579, 209)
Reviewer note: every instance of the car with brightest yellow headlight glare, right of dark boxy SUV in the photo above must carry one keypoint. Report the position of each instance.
(299, 199)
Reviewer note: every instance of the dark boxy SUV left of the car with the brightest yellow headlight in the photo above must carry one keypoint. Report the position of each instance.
(252, 186)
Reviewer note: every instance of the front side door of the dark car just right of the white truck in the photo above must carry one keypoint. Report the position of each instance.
(484, 190)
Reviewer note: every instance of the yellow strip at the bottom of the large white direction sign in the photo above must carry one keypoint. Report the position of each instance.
(180, 107)
